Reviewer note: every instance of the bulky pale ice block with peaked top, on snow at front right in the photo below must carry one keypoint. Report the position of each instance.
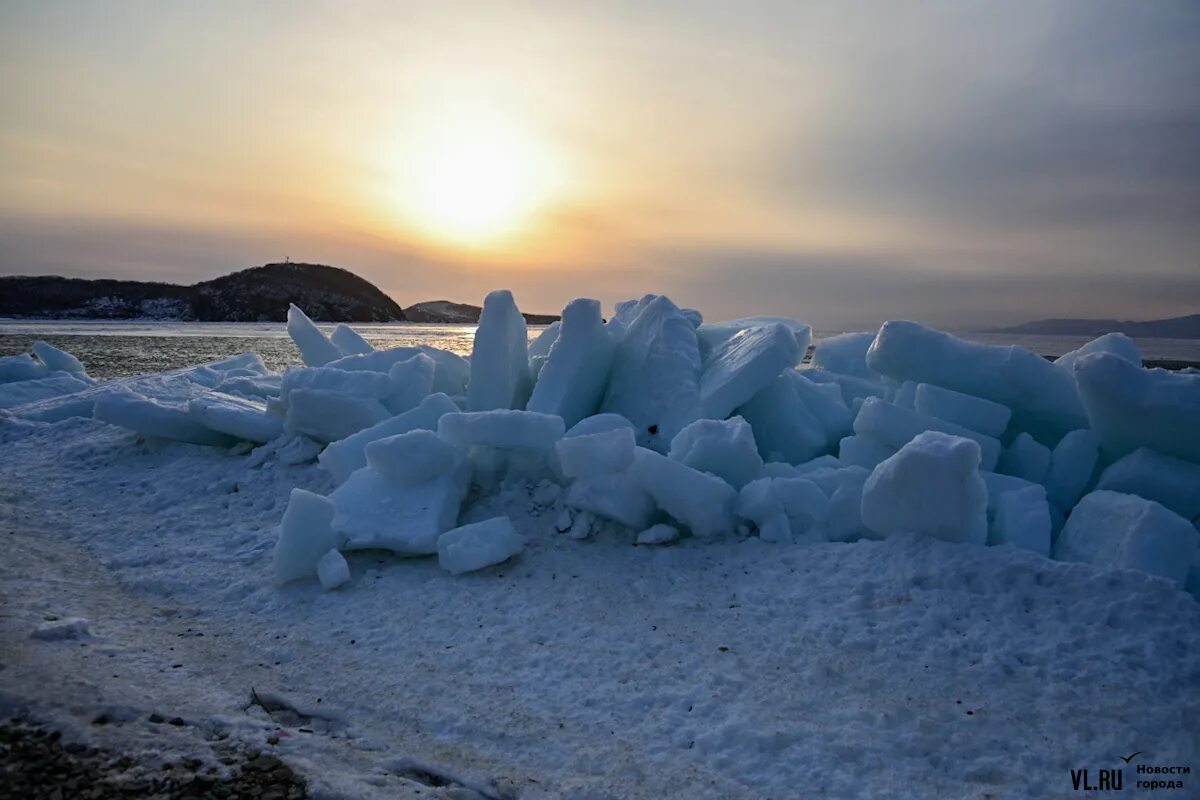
(932, 486)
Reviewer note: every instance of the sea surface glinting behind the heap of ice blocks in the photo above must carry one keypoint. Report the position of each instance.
(118, 348)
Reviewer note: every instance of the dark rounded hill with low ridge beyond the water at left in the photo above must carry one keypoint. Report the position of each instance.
(259, 294)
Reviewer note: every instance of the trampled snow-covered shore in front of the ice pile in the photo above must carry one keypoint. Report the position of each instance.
(596, 671)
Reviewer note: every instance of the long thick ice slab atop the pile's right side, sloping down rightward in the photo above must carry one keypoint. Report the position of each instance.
(1041, 395)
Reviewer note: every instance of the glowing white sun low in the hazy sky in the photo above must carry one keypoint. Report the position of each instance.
(475, 179)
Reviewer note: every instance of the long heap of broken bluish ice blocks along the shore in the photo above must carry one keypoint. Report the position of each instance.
(659, 426)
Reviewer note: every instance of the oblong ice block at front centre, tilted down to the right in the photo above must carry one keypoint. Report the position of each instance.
(703, 503)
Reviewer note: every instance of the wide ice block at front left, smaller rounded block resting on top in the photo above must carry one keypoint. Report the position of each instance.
(374, 513)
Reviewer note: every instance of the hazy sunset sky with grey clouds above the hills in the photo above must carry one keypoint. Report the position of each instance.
(961, 164)
